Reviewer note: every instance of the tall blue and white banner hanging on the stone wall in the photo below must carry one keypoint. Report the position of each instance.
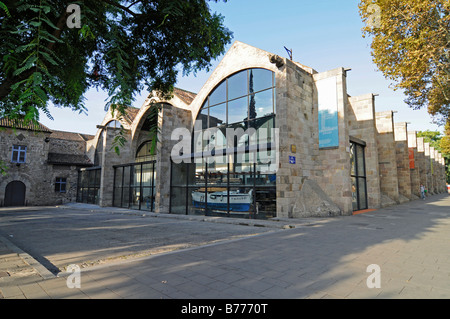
(328, 112)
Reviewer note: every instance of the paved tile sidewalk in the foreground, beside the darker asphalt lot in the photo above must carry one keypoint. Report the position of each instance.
(314, 258)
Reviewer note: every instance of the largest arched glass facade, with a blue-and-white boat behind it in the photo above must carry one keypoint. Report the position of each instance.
(231, 170)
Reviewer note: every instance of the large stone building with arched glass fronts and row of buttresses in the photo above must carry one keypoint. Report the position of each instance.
(265, 137)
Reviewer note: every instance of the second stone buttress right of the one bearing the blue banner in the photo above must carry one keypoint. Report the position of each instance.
(387, 158)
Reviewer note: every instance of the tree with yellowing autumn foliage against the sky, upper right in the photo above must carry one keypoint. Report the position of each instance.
(410, 46)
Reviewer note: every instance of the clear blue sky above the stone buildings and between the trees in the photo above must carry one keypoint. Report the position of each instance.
(323, 34)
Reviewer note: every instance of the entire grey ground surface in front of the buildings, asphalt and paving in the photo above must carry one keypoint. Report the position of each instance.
(79, 251)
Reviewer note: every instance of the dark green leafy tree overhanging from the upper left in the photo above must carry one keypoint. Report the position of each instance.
(55, 50)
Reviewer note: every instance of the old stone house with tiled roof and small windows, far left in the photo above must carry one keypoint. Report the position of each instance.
(41, 165)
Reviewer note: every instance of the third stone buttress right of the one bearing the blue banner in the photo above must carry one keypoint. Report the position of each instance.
(402, 156)
